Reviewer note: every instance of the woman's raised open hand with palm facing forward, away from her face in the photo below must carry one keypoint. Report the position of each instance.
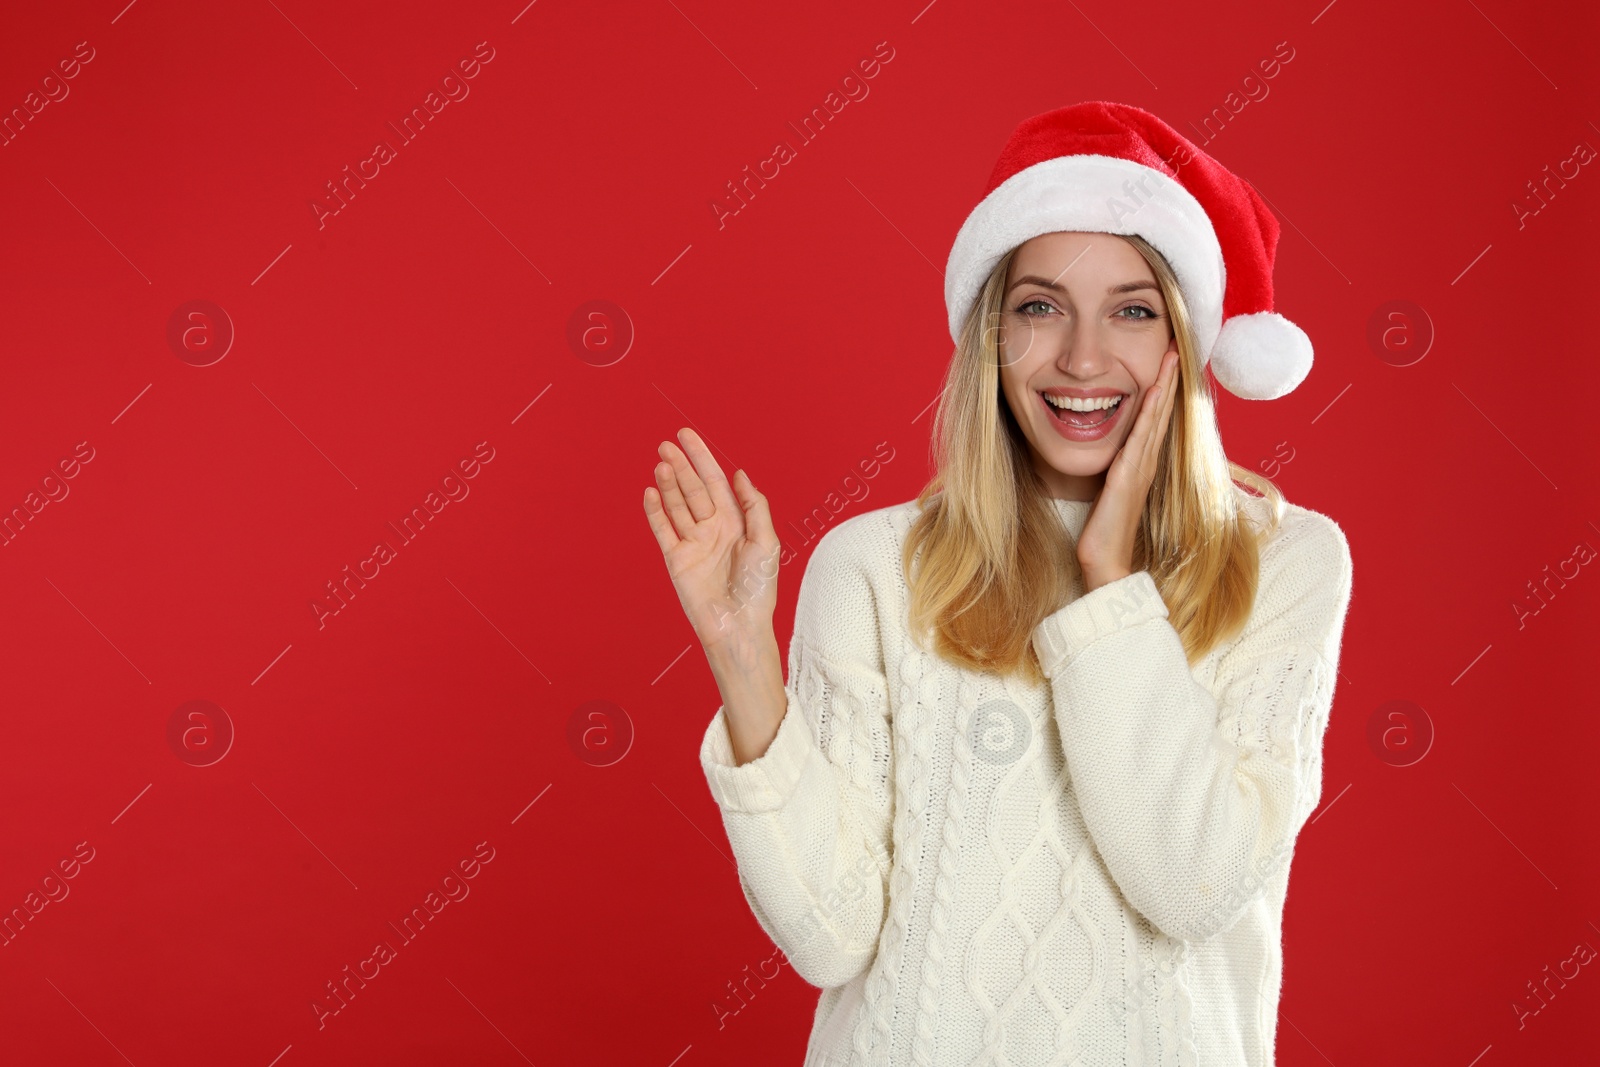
(721, 548)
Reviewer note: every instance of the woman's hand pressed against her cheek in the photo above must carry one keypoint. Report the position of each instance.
(1106, 543)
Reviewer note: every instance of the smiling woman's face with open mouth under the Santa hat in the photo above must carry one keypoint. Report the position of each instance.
(1084, 319)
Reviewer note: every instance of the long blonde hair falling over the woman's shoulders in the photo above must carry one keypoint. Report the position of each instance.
(996, 557)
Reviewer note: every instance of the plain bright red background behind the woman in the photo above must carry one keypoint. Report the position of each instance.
(377, 351)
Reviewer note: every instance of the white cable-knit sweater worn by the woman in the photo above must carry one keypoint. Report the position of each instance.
(1090, 871)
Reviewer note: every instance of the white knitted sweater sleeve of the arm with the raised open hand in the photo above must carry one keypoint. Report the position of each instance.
(810, 818)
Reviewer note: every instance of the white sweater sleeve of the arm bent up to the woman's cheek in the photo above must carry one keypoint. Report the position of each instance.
(1193, 796)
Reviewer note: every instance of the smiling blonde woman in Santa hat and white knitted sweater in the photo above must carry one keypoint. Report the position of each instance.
(1054, 727)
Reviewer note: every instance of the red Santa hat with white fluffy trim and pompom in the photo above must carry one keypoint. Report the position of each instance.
(1113, 169)
